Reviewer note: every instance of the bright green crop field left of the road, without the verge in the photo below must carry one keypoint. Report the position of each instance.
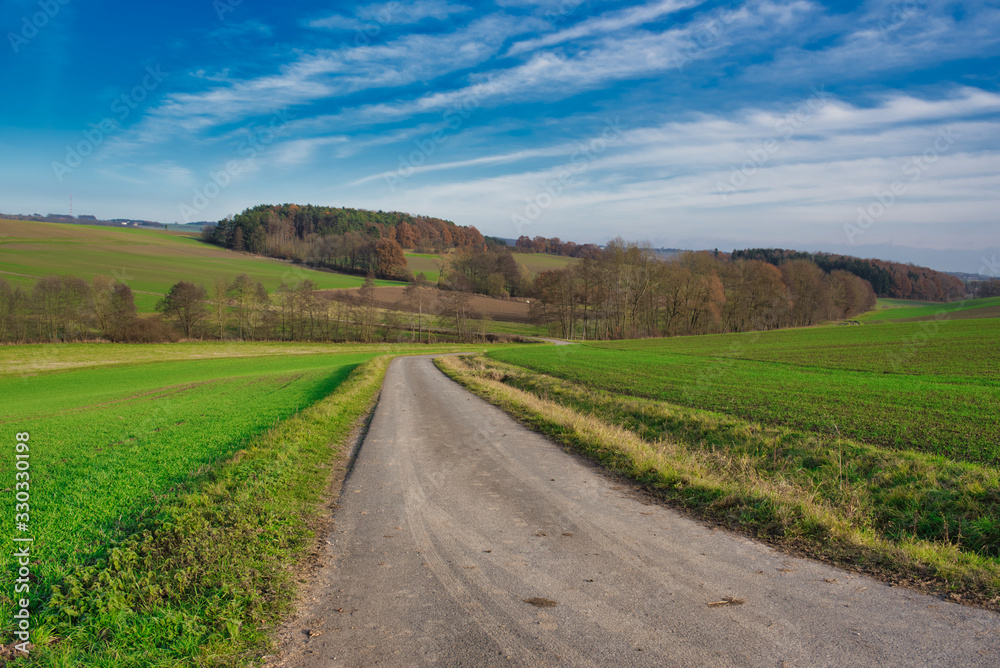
(108, 442)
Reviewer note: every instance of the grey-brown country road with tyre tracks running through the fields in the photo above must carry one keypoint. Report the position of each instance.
(463, 539)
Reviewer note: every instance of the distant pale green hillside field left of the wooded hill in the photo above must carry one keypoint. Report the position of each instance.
(147, 260)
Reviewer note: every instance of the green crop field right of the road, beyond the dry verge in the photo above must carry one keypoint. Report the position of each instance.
(932, 387)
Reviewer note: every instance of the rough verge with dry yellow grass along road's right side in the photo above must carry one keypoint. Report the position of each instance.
(907, 517)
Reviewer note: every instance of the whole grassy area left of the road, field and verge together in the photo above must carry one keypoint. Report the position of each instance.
(169, 499)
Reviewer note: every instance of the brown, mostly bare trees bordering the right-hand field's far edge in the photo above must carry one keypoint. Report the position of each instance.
(627, 292)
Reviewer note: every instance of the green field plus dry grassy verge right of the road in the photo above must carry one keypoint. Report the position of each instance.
(871, 447)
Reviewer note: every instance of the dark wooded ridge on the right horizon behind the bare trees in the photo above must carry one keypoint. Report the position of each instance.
(888, 279)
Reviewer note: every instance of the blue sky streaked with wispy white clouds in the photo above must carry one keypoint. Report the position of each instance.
(871, 129)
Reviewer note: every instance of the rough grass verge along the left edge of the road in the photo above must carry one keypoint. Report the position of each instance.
(204, 576)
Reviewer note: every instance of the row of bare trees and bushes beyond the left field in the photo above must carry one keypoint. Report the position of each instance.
(67, 308)
